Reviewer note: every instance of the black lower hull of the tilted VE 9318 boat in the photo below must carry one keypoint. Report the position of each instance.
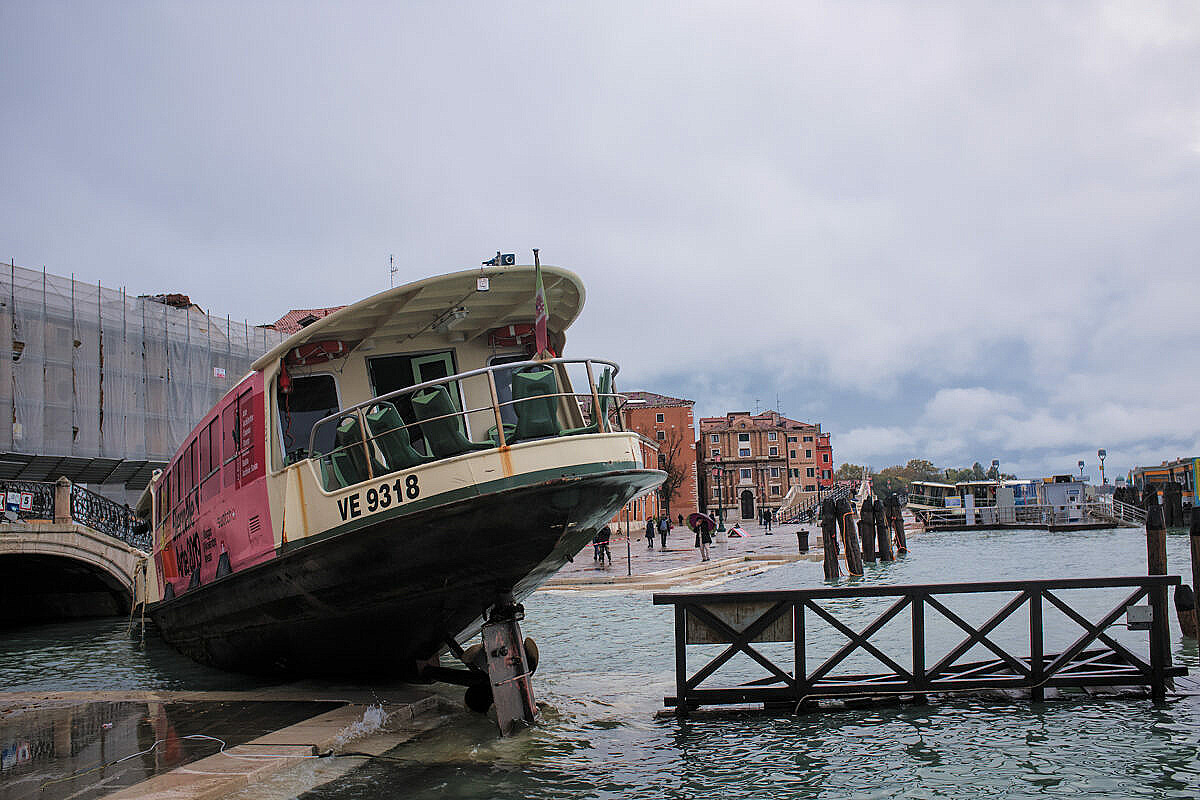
(376, 600)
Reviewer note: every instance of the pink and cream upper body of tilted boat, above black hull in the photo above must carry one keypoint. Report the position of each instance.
(380, 404)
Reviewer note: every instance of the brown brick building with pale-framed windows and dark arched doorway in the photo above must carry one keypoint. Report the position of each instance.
(748, 462)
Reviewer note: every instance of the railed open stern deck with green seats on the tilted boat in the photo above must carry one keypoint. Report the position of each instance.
(424, 423)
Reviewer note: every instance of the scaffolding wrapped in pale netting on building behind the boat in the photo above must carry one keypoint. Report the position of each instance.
(103, 387)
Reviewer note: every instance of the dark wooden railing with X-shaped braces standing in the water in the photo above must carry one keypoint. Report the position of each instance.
(745, 619)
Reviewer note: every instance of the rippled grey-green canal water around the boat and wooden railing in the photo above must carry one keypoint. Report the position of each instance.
(608, 663)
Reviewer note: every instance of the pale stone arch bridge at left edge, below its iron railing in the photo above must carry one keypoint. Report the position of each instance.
(56, 570)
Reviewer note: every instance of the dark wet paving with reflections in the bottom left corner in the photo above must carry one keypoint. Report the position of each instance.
(92, 750)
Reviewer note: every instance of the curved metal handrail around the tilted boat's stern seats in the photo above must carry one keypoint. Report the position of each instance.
(496, 407)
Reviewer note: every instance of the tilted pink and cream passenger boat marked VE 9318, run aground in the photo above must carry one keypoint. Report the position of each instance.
(386, 477)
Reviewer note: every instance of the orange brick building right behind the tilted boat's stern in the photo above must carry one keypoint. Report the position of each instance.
(669, 424)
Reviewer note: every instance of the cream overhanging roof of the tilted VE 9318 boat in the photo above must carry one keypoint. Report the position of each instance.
(413, 309)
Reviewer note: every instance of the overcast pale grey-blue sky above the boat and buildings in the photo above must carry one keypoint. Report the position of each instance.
(958, 232)
